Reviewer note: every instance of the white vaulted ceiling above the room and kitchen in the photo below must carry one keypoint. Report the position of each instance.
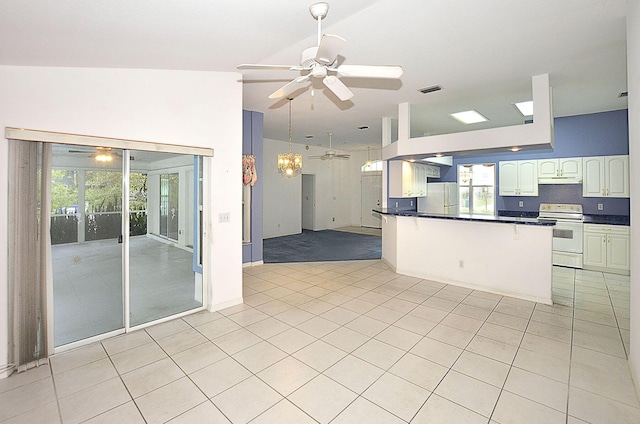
(482, 52)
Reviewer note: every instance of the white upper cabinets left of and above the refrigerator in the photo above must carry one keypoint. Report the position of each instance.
(409, 179)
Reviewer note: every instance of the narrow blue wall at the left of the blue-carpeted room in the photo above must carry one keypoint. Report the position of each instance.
(252, 144)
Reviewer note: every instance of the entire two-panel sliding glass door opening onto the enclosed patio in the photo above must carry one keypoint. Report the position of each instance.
(122, 230)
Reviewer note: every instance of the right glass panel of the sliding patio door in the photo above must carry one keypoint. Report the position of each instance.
(162, 281)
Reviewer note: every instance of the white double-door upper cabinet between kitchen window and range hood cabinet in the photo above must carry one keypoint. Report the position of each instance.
(518, 178)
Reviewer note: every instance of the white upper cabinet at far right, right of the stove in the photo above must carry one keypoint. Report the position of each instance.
(606, 176)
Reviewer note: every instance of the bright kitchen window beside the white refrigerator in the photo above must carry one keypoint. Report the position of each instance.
(477, 188)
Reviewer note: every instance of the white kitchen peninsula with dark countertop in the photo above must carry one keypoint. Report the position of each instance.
(504, 255)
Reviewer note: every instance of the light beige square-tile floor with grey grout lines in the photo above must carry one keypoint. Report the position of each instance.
(353, 342)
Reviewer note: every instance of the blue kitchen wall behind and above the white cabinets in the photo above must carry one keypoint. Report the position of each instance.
(597, 134)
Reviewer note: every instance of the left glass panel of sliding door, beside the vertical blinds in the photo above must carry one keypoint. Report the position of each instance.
(86, 222)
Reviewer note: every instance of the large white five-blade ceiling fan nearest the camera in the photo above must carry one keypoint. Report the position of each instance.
(321, 62)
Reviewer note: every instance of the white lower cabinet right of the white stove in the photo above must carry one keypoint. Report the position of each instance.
(606, 248)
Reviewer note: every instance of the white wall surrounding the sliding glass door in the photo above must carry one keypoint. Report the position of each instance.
(200, 109)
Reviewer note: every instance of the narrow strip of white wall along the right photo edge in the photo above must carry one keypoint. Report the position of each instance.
(633, 77)
